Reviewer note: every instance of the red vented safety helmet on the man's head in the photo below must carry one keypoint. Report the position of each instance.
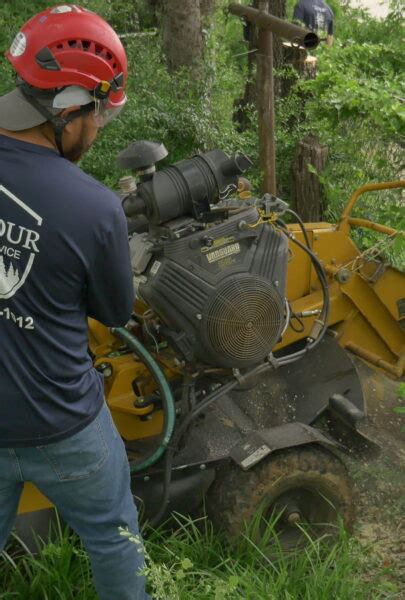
(67, 45)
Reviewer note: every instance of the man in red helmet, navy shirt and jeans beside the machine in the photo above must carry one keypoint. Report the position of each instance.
(63, 257)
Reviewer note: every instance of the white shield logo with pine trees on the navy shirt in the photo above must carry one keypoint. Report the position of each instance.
(18, 244)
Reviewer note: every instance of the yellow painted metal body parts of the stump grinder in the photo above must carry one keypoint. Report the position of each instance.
(367, 314)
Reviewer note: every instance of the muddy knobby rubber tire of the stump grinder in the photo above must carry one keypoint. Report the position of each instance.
(236, 495)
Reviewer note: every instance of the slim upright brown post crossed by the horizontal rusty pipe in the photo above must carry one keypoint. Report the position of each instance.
(265, 95)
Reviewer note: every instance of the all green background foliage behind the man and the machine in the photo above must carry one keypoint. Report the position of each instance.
(354, 105)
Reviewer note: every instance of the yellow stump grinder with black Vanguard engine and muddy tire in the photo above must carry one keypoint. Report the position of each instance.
(245, 369)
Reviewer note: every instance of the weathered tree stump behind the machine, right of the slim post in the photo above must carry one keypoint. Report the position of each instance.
(307, 191)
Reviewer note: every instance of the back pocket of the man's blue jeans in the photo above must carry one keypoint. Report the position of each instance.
(79, 456)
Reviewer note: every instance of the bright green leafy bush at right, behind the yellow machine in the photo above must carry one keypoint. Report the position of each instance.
(355, 105)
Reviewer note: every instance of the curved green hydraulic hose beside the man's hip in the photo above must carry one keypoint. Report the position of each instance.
(167, 397)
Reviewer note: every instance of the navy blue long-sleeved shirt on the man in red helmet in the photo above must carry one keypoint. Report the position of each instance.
(64, 256)
